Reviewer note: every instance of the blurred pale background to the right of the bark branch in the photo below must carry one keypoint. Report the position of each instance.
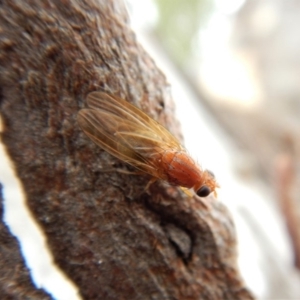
(234, 72)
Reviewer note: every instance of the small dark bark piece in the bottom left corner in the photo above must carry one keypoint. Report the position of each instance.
(15, 281)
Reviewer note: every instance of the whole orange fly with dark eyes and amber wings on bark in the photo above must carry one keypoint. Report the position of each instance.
(126, 132)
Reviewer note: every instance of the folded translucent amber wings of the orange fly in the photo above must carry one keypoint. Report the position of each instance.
(126, 132)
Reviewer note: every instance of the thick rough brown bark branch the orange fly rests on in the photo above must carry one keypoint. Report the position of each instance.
(106, 233)
